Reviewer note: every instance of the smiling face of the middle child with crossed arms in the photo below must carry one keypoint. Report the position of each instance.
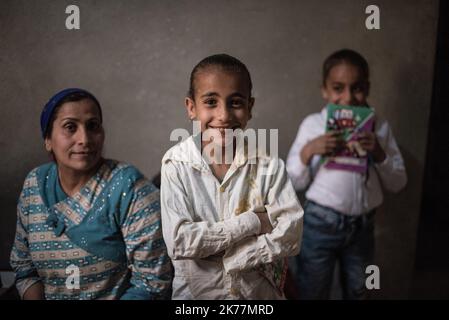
(222, 101)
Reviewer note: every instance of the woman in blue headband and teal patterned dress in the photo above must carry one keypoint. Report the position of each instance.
(87, 227)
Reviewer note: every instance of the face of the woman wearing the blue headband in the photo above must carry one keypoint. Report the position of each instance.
(77, 137)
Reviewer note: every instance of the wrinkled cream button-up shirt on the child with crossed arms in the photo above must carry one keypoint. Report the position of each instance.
(212, 232)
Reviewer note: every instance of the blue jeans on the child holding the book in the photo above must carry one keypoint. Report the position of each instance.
(330, 237)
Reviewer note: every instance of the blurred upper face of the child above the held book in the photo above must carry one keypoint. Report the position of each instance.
(345, 86)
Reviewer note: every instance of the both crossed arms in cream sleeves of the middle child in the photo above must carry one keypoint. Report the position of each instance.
(249, 238)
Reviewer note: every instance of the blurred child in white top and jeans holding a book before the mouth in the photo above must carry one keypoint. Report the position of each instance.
(339, 211)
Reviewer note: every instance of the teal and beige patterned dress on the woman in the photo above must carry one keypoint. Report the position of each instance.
(104, 242)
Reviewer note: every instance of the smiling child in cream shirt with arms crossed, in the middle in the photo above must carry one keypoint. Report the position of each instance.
(227, 225)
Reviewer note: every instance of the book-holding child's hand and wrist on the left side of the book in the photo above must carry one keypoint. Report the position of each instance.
(326, 144)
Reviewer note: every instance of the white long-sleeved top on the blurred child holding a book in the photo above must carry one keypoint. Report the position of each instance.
(348, 192)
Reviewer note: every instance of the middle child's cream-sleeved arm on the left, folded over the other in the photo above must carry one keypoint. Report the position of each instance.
(186, 239)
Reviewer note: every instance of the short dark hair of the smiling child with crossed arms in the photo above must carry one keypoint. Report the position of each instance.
(225, 61)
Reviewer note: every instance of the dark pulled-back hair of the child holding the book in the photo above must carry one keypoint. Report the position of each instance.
(346, 56)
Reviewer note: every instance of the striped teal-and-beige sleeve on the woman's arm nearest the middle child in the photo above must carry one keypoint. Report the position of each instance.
(151, 270)
